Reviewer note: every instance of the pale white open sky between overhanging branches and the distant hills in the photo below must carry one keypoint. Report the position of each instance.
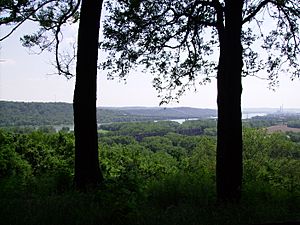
(28, 77)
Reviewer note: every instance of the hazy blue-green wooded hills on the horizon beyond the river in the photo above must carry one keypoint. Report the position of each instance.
(37, 114)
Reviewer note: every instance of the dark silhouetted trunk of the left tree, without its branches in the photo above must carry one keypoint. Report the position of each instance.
(87, 169)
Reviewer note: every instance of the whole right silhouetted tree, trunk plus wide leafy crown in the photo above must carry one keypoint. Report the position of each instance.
(178, 41)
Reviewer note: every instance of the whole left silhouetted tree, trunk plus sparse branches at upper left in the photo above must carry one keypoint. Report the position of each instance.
(52, 15)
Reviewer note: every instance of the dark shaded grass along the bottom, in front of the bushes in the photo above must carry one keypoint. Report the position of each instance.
(178, 199)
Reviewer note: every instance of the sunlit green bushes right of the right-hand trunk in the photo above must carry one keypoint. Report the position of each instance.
(271, 158)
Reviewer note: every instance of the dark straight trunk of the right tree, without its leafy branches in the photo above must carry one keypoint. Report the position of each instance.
(230, 144)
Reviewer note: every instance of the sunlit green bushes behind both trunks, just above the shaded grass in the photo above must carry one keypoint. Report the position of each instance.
(273, 158)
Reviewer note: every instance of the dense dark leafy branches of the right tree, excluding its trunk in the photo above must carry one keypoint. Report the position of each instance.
(178, 41)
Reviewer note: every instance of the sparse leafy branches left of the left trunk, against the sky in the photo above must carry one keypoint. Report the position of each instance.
(51, 17)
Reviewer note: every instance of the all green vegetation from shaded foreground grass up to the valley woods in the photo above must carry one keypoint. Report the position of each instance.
(154, 179)
